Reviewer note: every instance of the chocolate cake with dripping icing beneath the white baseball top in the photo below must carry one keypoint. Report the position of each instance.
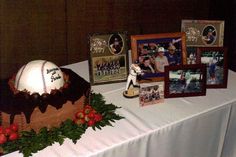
(34, 110)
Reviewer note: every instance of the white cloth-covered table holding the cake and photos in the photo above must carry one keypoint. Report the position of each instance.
(202, 126)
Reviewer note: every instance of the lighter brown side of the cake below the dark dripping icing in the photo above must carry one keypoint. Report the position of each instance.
(52, 117)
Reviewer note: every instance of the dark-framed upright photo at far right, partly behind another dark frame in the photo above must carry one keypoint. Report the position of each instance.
(215, 59)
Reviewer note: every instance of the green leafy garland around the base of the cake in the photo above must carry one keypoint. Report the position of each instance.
(31, 142)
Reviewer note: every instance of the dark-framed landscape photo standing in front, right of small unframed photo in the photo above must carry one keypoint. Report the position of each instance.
(185, 80)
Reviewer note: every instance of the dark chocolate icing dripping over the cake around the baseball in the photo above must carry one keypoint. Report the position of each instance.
(14, 104)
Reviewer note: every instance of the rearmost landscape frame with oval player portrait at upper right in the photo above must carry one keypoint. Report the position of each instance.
(203, 33)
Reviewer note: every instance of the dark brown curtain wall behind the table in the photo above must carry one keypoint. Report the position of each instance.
(57, 30)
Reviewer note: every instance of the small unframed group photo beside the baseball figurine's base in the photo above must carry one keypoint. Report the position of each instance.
(150, 94)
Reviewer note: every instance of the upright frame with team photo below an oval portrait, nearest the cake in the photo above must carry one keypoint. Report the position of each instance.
(108, 58)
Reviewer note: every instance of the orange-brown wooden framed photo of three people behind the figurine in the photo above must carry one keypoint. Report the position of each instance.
(152, 52)
